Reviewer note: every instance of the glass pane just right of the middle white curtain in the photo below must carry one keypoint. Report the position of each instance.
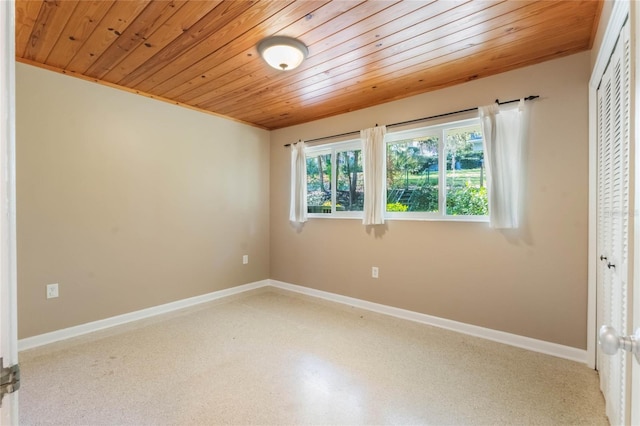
(412, 175)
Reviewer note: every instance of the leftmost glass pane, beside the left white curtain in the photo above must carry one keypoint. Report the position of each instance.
(319, 184)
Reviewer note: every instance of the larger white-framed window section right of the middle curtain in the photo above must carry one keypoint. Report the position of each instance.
(437, 172)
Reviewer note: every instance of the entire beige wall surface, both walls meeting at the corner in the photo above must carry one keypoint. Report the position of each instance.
(130, 203)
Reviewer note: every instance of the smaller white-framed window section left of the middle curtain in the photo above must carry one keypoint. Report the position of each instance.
(334, 180)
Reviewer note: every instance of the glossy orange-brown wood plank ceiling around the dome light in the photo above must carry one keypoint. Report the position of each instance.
(202, 54)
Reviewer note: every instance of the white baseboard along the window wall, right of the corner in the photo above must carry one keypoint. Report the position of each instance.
(535, 345)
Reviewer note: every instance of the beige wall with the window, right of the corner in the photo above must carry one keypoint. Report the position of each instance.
(532, 283)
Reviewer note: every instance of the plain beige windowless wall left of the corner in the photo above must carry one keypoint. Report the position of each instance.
(129, 203)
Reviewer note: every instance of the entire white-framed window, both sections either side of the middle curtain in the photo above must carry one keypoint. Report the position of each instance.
(434, 172)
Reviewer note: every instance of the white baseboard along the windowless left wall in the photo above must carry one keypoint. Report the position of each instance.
(79, 330)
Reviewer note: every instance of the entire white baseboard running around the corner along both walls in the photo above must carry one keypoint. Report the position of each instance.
(528, 343)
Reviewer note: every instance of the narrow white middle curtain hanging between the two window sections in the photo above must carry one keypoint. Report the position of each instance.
(375, 174)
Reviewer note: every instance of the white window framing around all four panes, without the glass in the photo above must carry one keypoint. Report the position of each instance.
(438, 131)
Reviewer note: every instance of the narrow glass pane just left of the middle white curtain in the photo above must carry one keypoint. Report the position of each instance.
(349, 181)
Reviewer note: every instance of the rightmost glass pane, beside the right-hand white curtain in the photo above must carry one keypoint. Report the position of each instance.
(465, 173)
